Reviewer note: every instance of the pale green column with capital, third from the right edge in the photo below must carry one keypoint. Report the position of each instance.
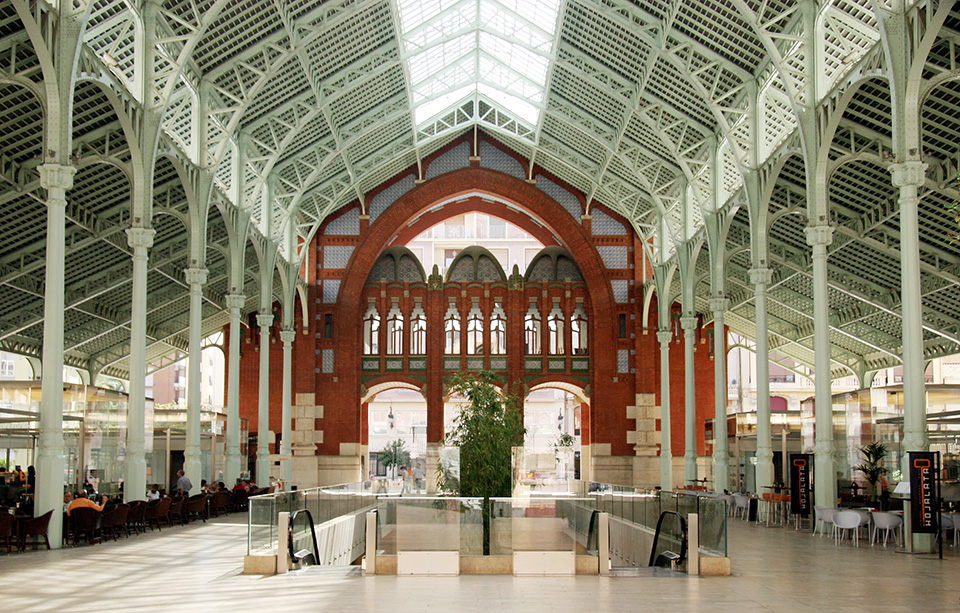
(760, 278)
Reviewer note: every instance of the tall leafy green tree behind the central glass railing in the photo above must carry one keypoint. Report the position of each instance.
(487, 429)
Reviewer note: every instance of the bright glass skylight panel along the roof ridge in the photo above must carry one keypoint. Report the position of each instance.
(498, 50)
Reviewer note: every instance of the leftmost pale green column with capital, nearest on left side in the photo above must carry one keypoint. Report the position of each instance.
(51, 462)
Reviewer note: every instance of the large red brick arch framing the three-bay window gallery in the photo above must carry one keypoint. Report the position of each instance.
(393, 222)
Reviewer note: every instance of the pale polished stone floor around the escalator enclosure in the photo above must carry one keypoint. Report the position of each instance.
(197, 568)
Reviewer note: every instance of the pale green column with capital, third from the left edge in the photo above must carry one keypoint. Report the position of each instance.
(196, 277)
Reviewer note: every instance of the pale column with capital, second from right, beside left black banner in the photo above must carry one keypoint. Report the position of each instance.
(825, 478)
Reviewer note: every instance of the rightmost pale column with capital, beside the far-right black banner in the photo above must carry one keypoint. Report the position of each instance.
(908, 177)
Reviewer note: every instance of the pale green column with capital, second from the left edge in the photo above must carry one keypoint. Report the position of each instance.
(135, 463)
